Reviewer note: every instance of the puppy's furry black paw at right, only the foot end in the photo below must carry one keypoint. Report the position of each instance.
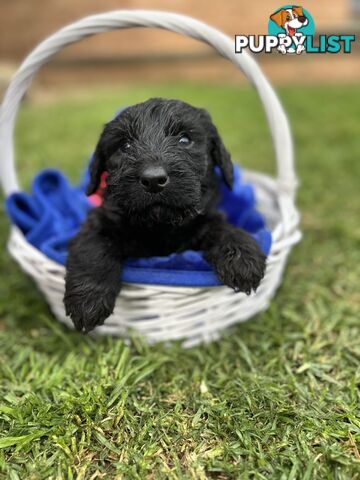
(240, 268)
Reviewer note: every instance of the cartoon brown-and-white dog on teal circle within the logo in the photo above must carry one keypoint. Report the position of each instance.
(293, 22)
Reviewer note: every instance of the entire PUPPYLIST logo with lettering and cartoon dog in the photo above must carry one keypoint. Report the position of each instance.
(291, 31)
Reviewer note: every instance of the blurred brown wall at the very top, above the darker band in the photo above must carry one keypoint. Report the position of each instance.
(23, 23)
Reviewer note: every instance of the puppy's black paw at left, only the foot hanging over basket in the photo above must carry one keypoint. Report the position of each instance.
(89, 310)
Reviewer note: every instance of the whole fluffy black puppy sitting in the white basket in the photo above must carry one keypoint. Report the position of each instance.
(160, 198)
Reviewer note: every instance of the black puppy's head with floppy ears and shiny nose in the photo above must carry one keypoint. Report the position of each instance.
(160, 158)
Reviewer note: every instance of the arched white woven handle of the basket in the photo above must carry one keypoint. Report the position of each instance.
(279, 126)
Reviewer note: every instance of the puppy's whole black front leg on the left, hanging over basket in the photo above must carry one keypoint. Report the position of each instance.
(93, 270)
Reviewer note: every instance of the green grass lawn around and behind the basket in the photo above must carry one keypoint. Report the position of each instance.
(278, 398)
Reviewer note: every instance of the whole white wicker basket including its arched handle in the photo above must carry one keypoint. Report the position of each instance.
(159, 312)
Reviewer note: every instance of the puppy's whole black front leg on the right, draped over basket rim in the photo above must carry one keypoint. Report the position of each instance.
(234, 254)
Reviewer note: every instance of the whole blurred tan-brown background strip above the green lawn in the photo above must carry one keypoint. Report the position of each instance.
(154, 55)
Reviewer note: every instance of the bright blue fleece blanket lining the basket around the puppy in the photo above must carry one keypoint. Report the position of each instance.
(53, 212)
